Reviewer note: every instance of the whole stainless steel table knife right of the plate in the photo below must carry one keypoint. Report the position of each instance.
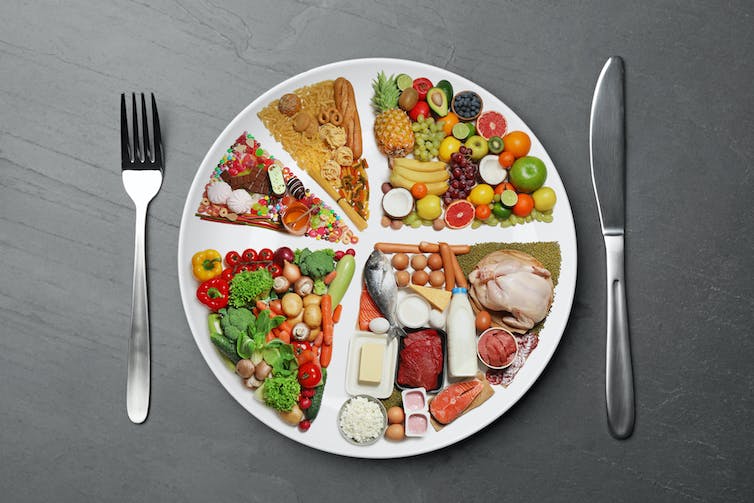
(607, 143)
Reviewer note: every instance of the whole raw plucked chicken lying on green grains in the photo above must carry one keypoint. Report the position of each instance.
(514, 286)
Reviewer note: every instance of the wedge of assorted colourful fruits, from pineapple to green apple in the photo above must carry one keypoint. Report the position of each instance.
(484, 174)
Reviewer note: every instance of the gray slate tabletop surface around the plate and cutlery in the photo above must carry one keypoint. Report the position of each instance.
(66, 241)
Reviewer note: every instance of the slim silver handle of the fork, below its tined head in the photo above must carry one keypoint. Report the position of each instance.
(138, 381)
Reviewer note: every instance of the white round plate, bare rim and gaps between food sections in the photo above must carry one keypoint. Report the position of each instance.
(196, 235)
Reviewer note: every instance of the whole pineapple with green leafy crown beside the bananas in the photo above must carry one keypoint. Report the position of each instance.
(392, 127)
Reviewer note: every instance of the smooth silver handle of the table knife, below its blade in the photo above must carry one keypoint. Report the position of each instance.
(619, 389)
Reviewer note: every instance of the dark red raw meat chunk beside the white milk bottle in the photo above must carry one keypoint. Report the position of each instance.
(421, 360)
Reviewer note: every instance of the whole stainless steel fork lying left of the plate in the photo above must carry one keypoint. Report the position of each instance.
(142, 166)
